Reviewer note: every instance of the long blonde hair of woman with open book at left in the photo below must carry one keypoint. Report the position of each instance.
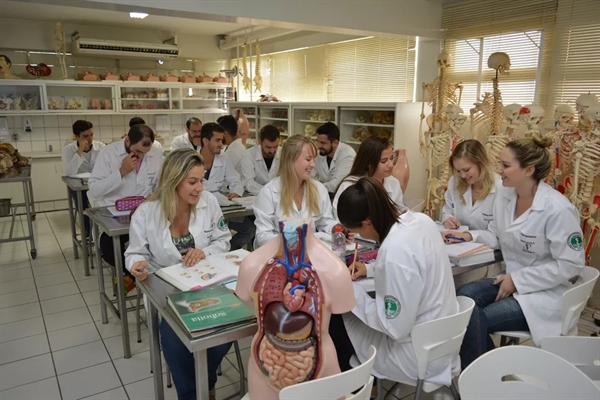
(175, 168)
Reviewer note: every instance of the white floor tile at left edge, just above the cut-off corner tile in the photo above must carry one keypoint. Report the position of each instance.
(26, 371)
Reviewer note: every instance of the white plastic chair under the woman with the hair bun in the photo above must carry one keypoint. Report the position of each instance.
(573, 302)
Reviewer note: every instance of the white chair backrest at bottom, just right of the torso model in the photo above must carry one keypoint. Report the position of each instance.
(336, 386)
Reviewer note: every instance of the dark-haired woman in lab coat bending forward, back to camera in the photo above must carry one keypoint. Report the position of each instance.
(413, 285)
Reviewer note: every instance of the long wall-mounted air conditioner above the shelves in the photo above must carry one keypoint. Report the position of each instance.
(117, 49)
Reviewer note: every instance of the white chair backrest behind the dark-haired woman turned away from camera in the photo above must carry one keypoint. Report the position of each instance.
(441, 337)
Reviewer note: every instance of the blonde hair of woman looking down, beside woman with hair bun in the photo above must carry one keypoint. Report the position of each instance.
(473, 151)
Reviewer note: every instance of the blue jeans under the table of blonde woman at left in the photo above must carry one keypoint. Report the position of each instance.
(181, 362)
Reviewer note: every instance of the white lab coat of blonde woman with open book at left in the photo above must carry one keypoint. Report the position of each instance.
(150, 237)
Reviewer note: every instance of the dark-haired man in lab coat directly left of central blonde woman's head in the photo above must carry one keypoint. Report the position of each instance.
(261, 162)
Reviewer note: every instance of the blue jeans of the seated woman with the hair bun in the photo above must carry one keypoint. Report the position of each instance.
(488, 316)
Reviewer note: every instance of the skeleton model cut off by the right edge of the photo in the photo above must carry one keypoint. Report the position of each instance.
(586, 153)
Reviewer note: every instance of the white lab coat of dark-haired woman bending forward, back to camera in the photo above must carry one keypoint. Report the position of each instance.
(413, 285)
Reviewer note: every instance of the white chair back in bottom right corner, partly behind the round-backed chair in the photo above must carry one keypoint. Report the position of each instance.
(582, 352)
